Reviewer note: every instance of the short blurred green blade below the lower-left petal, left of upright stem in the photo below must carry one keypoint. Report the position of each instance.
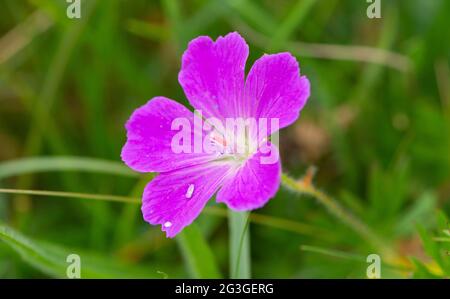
(197, 254)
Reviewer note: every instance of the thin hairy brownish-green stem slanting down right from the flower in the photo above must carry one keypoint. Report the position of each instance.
(306, 187)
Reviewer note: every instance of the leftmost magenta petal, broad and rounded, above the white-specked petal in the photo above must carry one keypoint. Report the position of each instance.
(149, 136)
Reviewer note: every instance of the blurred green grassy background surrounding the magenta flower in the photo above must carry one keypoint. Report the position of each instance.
(376, 127)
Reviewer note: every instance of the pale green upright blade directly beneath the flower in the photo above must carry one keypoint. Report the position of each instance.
(239, 244)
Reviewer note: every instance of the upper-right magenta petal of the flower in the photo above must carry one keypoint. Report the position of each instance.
(274, 89)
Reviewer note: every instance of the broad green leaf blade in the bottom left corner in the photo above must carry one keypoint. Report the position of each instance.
(51, 259)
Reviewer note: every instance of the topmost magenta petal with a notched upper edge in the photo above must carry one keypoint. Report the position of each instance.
(212, 74)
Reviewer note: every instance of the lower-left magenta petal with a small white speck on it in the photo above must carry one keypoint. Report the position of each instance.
(174, 199)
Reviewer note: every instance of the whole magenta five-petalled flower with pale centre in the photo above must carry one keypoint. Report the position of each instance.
(213, 78)
